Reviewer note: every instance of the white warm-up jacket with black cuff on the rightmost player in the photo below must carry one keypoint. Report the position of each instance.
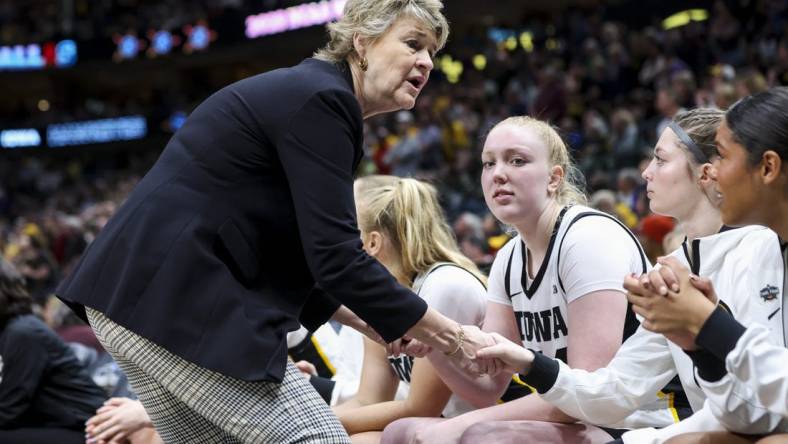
(753, 396)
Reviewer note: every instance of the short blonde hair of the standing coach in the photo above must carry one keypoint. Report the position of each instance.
(372, 18)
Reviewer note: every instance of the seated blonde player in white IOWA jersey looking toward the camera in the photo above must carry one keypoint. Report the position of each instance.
(555, 288)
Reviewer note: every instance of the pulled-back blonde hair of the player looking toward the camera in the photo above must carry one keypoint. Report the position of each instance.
(570, 190)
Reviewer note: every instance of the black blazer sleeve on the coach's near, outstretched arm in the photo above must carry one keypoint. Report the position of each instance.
(317, 154)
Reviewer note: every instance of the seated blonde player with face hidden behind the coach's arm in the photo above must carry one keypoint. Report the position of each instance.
(402, 225)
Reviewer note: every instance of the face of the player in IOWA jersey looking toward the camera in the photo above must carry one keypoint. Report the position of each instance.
(515, 173)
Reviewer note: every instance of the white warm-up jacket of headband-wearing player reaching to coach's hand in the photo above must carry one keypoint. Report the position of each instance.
(647, 360)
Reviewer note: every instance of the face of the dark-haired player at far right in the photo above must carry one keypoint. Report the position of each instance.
(737, 180)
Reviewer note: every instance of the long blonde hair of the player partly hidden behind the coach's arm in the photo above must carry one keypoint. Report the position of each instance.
(408, 213)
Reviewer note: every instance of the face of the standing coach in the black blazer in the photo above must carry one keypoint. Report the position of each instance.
(400, 62)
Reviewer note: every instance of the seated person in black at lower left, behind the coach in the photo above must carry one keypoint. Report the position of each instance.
(46, 395)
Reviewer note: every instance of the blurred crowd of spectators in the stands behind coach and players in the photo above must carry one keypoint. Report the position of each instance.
(608, 88)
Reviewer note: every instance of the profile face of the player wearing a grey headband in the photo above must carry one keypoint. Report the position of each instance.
(670, 184)
